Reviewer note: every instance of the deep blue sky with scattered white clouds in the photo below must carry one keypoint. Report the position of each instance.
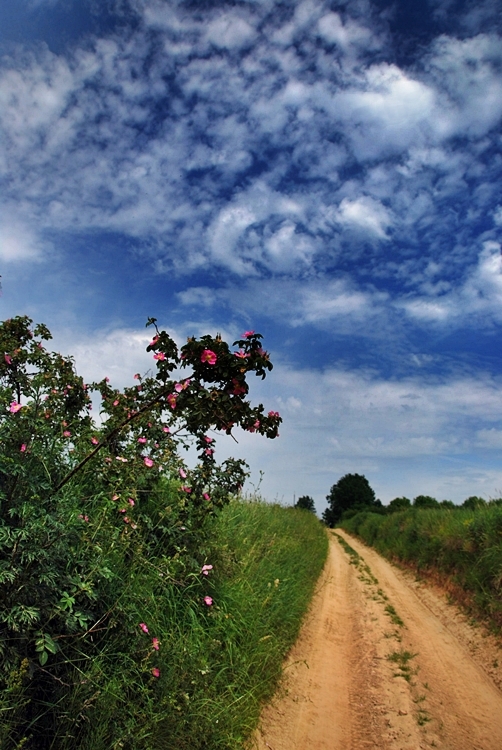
(325, 173)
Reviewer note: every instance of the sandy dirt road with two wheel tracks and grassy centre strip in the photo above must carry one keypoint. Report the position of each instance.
(384, 662)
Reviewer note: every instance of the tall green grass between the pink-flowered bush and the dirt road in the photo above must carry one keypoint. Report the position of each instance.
(218, 662)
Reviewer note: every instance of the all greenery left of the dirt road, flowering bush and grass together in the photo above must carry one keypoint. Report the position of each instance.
(142, 606)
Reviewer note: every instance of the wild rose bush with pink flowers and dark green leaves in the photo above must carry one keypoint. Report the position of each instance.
(87, 510)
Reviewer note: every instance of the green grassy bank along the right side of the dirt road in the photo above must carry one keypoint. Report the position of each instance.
(465, 545)
